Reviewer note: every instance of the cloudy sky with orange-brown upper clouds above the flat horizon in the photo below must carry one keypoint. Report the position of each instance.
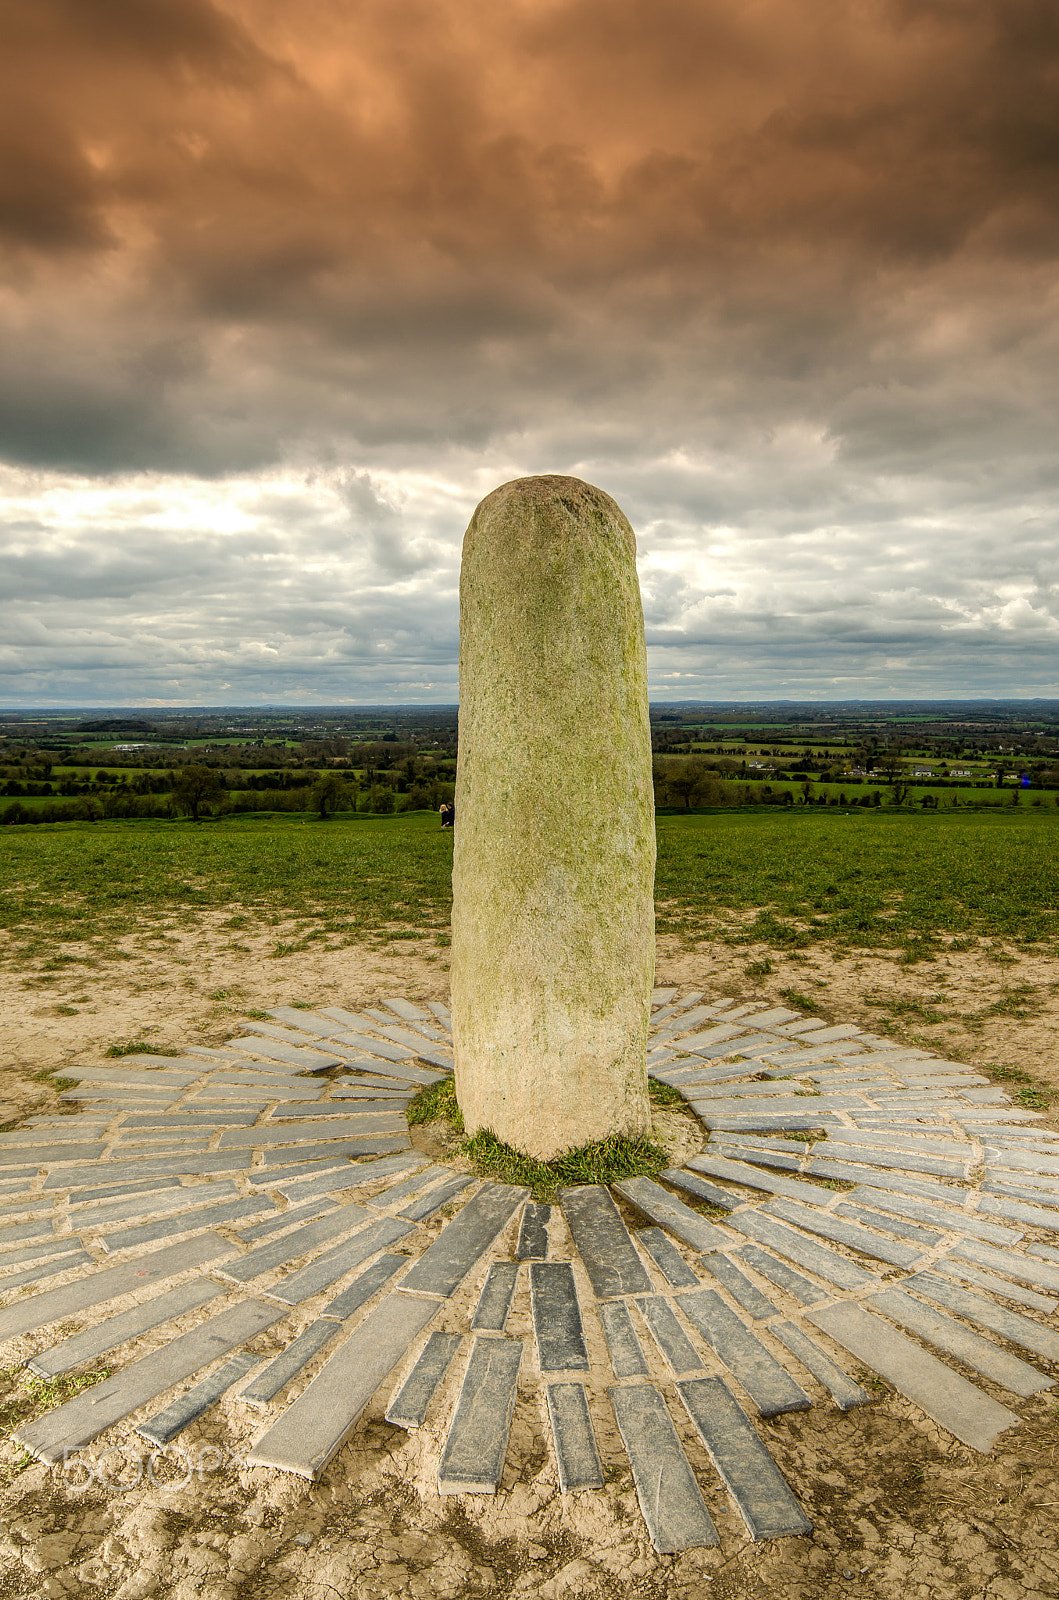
(287, 289)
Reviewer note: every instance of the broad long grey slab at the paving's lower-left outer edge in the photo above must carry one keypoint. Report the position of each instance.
(316, 1426)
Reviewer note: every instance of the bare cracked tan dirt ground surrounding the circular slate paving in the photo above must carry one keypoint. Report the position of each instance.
(898, 1508)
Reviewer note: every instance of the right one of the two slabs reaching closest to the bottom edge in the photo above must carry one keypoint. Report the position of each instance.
(741, 1460)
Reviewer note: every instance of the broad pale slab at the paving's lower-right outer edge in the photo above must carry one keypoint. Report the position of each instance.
(951, 1401)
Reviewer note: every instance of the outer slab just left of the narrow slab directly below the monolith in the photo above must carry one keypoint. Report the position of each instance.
(473, 1462)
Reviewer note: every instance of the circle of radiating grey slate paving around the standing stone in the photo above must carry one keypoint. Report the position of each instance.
(137, 1170)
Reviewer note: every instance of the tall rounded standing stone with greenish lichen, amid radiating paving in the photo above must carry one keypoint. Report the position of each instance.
(554, 854)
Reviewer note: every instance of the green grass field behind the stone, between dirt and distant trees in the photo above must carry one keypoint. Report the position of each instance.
(879, 879)
